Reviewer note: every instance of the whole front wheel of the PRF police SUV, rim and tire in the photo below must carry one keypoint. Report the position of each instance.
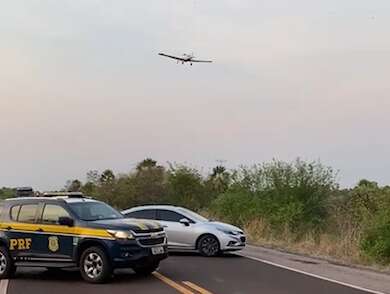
(95, 266)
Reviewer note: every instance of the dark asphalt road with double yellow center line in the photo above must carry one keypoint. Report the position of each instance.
(186, 274)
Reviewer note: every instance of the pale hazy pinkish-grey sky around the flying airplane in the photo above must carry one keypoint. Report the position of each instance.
(82, 86)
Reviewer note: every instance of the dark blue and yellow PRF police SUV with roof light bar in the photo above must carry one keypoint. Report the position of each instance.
(67, 230)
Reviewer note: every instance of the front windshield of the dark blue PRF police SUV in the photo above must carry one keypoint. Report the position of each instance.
(92, 211)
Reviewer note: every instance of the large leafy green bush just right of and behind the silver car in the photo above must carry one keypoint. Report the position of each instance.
(284, 194)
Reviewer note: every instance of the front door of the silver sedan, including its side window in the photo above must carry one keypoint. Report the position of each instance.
(179, 235)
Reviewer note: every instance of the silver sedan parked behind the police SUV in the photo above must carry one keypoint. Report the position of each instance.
(187, 230)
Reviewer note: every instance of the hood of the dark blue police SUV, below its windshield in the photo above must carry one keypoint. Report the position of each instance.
(126, 224)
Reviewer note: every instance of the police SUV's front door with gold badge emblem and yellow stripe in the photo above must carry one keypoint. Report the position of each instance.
(55, 240)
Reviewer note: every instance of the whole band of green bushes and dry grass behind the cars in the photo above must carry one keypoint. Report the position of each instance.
(296, 206)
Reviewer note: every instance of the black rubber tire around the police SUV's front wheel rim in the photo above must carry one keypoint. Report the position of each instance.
(106, 266)
